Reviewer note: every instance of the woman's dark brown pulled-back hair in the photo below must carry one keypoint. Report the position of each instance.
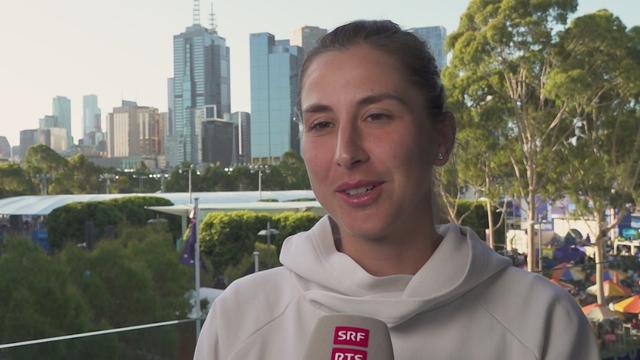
(407, 49)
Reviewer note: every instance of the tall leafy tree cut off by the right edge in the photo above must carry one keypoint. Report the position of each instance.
(597, 79)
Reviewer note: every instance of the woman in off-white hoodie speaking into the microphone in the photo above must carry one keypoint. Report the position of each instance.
(374, 125)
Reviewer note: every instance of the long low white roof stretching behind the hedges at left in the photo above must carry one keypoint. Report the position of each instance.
(44, 204)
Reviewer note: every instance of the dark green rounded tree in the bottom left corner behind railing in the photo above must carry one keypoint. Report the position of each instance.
(39, 300)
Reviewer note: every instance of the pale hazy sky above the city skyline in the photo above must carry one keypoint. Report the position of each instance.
(122, 49)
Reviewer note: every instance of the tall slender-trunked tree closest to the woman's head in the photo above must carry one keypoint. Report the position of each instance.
(501, 53)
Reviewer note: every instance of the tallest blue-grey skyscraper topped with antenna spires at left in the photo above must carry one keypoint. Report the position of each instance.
(200, 78)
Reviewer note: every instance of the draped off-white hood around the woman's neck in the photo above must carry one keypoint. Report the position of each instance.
(336, 283)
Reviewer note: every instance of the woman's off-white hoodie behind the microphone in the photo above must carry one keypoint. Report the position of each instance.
(466, 302)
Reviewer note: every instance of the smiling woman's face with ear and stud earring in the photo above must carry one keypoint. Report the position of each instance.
(368, 143)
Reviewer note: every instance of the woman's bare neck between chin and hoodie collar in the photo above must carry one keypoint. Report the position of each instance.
(402, 253)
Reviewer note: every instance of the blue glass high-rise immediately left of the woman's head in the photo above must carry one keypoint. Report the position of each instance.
(274, 86)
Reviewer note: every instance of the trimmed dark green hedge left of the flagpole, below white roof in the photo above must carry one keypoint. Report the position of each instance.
(67, 224)
